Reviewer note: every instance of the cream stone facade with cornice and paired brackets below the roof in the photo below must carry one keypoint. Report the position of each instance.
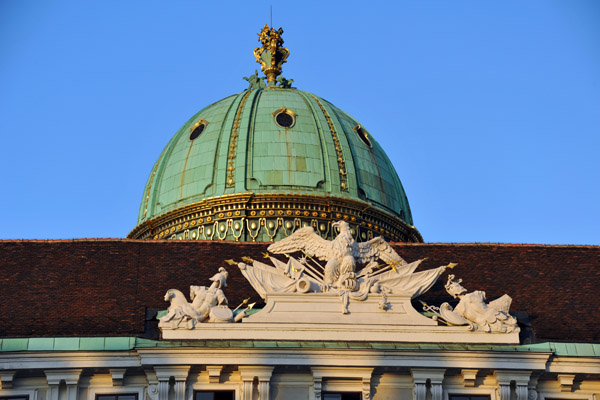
(296, 374)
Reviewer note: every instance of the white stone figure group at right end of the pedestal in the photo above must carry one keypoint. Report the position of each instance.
(473, 311)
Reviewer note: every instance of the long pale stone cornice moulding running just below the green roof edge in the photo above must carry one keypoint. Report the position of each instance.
(509, 360)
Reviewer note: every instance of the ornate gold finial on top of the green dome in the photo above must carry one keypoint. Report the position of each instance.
(271, 55)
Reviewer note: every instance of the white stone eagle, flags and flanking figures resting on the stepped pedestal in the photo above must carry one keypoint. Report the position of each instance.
(333, 267)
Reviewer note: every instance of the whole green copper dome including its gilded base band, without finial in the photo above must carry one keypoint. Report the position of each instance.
(285, 148)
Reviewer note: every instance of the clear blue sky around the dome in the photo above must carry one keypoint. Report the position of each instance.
(490, 111)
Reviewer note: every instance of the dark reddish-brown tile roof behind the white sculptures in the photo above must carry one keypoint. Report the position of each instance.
(102, 287)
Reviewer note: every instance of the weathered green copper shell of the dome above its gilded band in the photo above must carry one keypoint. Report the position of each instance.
(252, 153)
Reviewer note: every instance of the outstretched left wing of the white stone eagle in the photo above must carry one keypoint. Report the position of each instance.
(304, 239)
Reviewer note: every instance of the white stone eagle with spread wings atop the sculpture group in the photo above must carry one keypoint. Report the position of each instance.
(341, 254)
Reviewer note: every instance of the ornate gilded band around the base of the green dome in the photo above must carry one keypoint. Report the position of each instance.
(272, 216)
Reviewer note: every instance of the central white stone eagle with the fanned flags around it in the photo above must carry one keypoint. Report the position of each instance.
(338, 274)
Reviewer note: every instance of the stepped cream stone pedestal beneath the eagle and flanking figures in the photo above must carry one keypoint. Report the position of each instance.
(319, 317)
